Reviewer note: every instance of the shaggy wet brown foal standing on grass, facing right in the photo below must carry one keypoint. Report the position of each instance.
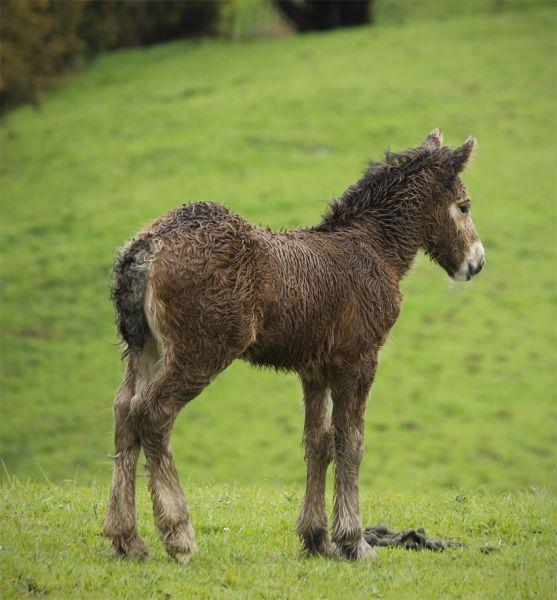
(200, 287)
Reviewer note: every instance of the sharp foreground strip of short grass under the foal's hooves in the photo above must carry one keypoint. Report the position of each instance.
(248, 548)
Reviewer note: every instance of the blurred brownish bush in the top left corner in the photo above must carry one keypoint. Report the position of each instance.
(42, 39)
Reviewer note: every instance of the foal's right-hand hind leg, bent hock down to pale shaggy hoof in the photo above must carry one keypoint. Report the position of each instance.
(154, 415)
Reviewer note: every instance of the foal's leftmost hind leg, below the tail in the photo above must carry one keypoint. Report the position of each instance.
(119, 520)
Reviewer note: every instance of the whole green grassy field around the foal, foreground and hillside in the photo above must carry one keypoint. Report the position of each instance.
(464, 405)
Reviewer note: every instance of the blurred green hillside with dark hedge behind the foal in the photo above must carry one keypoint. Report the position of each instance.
(115, 112)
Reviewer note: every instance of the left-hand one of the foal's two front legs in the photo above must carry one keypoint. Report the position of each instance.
(319, 449)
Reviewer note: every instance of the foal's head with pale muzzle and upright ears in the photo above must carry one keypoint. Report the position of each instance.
(451, 238)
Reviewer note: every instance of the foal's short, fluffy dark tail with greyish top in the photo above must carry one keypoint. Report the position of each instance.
(131, 272)
